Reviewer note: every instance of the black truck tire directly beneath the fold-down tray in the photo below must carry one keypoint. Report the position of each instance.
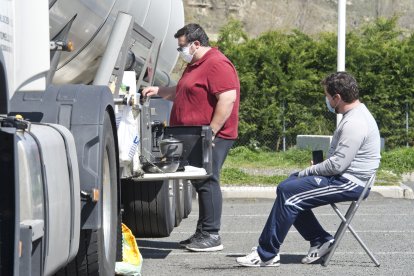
(149, 207)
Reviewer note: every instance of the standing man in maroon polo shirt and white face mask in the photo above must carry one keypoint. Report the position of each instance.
(208, 93)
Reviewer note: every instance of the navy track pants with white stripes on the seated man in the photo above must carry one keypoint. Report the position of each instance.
(295, 199)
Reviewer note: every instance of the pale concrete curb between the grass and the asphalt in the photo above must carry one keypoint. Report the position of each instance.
(401, 191)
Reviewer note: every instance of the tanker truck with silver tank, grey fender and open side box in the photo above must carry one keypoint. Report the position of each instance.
(71, 72)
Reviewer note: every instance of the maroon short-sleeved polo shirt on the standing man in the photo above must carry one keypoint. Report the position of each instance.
(195, 99)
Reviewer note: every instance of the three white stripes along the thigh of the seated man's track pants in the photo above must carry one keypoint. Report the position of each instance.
(294, 200)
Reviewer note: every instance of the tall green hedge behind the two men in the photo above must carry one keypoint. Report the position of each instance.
(280, 76)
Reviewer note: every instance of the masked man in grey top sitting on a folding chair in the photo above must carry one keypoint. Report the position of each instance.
(353, 157)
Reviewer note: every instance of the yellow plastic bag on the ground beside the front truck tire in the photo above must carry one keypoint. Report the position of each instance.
(131, 257)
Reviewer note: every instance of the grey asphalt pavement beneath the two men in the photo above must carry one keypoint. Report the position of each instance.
(385, 224)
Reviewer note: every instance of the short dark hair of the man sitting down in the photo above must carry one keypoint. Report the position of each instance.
(342, 83)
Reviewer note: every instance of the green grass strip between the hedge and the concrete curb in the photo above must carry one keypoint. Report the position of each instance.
(246, 167)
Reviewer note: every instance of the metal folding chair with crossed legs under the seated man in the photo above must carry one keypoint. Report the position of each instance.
(345, 224)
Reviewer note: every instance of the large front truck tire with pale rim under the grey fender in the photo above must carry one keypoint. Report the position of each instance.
(97, 248)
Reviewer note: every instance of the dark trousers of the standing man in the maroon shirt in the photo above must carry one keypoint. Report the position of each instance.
(210, 200)
